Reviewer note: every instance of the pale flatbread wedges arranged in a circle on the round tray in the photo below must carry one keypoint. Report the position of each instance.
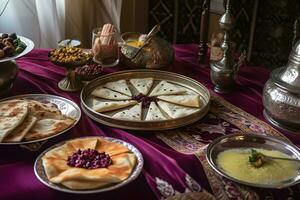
(172, 100)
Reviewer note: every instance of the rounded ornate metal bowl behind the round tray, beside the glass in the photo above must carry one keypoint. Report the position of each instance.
(157, 54)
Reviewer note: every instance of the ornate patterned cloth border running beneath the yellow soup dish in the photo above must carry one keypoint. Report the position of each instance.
(224, 118)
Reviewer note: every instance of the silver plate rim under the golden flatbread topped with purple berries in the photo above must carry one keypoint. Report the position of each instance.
(40, 172)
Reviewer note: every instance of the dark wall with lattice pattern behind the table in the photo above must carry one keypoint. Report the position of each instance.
(272, 35)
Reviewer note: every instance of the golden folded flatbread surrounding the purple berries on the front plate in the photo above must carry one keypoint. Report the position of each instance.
(57, 170)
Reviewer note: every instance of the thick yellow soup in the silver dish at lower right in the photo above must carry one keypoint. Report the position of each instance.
(235, 163)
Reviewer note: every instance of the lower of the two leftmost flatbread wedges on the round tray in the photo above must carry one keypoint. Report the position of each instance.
(104, 106)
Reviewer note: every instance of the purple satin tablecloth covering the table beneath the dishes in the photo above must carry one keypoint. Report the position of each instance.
(163, 165)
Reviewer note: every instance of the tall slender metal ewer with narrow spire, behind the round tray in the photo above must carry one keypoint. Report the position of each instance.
(224, 72)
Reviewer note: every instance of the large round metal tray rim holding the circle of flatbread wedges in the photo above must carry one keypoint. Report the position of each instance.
(157, 75)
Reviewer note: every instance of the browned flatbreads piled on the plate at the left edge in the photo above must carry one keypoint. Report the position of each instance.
(24, 119)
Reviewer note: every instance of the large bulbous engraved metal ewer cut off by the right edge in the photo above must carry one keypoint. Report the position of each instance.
(281, 95)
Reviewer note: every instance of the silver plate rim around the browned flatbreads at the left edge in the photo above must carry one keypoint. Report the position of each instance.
(67, 107)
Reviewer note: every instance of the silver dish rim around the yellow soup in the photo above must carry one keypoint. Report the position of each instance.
(252, 141)
